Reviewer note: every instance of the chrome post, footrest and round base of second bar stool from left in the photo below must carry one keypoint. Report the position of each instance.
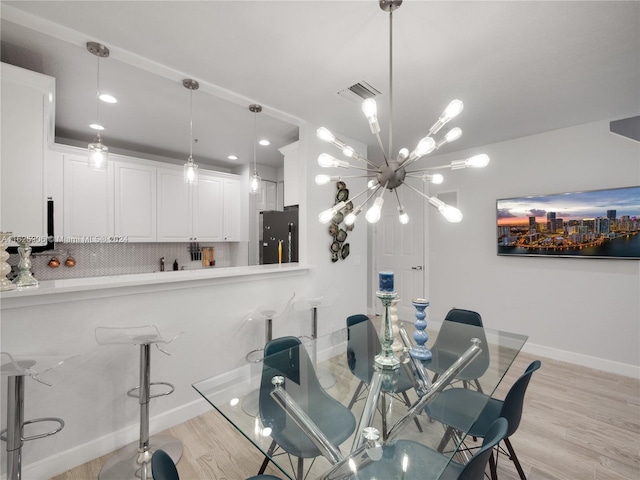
(134, 461)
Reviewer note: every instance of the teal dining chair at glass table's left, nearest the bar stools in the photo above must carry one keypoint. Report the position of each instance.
(287, 357)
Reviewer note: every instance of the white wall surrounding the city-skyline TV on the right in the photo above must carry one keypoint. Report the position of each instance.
(585, 311)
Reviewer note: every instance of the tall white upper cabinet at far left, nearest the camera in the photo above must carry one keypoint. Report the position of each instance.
(27, 130)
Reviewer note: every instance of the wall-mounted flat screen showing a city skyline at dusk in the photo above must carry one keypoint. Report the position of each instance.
(590, 224)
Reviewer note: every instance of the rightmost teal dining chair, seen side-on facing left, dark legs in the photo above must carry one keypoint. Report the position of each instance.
(461, 409)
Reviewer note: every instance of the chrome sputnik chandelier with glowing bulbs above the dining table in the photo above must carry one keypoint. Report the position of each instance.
(393, 172)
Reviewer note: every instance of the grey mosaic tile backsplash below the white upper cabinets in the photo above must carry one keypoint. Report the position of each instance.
(100, 259)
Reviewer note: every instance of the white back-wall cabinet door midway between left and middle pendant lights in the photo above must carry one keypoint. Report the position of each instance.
(135, 202)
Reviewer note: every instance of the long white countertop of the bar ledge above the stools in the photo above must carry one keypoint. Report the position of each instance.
(54, 291)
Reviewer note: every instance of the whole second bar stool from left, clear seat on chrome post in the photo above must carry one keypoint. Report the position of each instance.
(134, 461)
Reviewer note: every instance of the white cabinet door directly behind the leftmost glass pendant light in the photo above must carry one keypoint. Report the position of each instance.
(88, 201)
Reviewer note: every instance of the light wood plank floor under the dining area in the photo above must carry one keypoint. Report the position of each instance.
(578, 424)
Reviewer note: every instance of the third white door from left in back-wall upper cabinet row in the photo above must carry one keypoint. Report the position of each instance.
(174, 206)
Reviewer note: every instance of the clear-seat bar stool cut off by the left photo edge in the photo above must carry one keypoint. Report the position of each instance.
(15, 371)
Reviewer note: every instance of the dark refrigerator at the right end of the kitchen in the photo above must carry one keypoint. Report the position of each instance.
(279, 236)
